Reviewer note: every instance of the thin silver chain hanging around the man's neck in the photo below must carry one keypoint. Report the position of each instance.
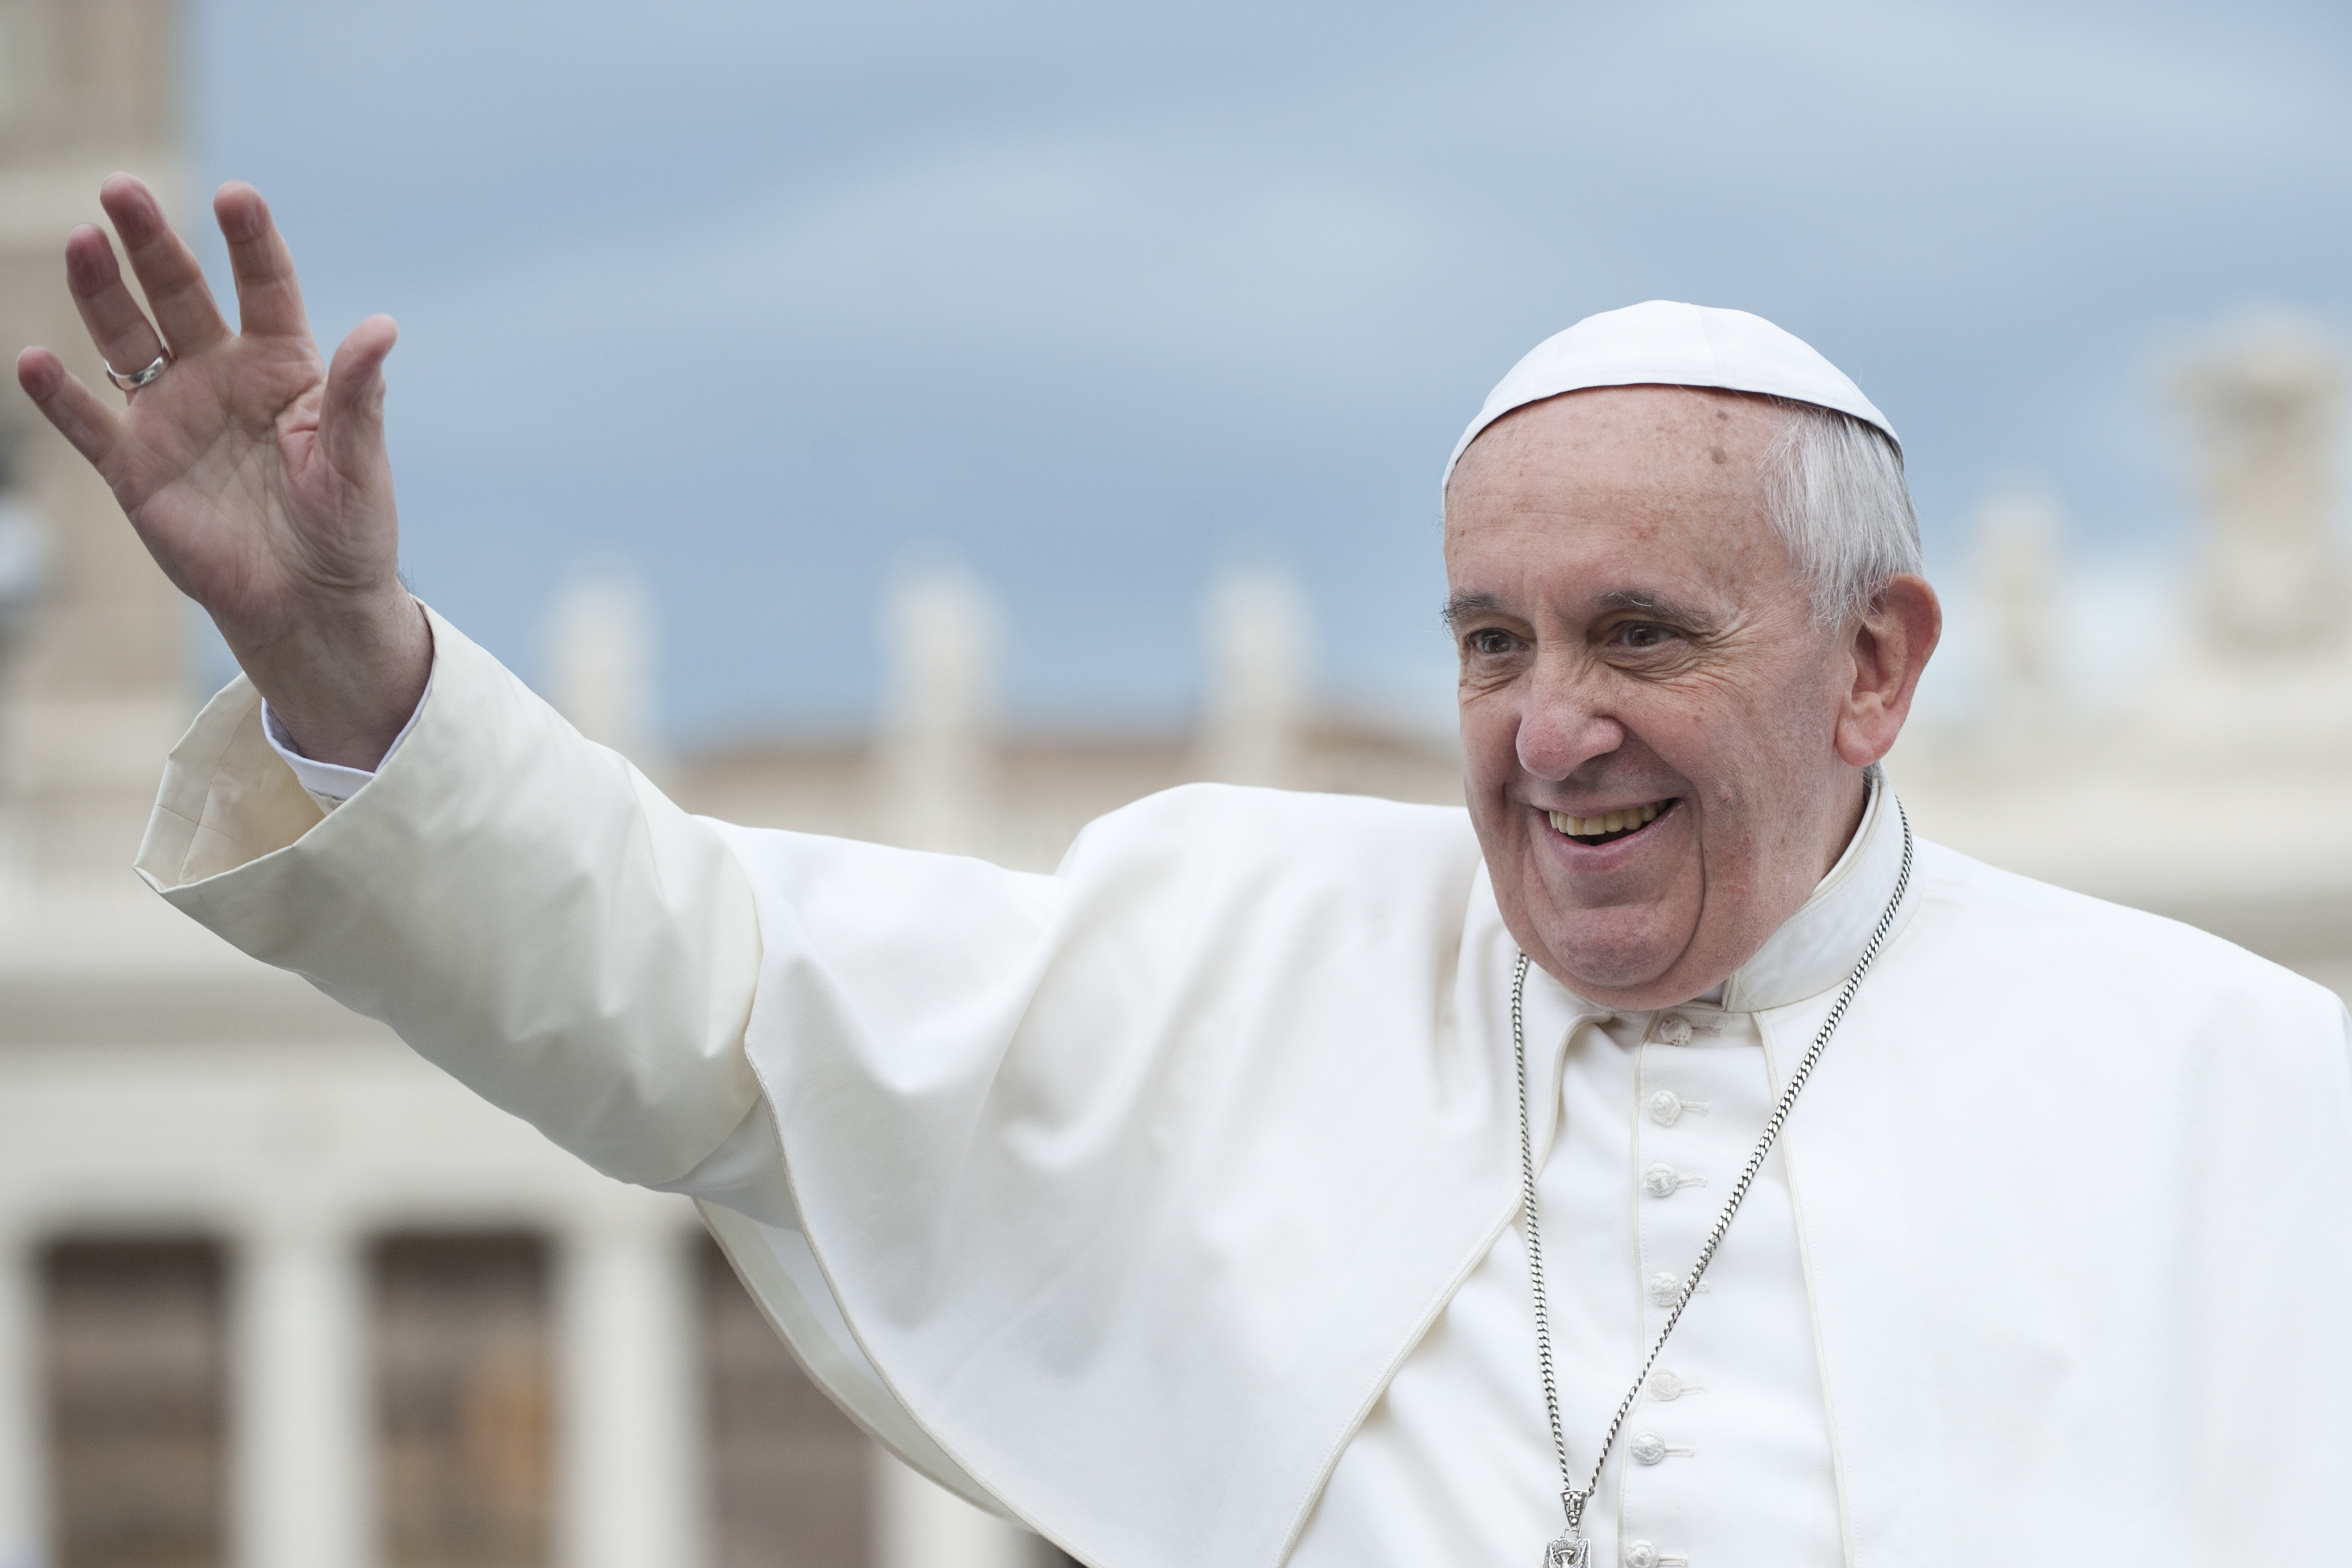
(1575, 1550)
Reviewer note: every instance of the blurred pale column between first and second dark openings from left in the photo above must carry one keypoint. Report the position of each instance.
(302, 1452)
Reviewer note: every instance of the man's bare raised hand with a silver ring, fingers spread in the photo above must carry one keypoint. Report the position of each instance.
(250, 469)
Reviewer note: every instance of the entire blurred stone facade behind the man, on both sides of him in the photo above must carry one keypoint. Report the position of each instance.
(276, 1294)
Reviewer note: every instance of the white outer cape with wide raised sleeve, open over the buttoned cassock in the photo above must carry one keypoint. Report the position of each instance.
(1140, 1184)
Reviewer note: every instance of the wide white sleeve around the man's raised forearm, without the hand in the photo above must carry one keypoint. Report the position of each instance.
(512, 899)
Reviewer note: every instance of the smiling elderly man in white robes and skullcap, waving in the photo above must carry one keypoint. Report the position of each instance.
(1191, 1205)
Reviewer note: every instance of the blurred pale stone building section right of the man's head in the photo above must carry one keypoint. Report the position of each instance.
(2214, 789)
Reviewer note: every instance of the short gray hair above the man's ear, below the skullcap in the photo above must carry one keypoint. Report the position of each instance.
(1836, 492)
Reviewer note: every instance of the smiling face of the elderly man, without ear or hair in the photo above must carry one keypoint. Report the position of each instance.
(1650, 713)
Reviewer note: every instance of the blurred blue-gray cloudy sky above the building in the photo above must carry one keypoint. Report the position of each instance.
(770, 300)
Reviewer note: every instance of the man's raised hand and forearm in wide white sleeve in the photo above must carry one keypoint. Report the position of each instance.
(516, 902)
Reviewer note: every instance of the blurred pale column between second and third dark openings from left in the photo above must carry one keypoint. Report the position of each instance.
(629, 1414)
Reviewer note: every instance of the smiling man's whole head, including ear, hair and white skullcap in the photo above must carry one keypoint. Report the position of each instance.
(1666, 716)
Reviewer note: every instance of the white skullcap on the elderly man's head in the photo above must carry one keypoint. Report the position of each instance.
(1669, 344)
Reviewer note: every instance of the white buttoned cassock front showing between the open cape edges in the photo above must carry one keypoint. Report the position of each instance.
(1455, 1463)
